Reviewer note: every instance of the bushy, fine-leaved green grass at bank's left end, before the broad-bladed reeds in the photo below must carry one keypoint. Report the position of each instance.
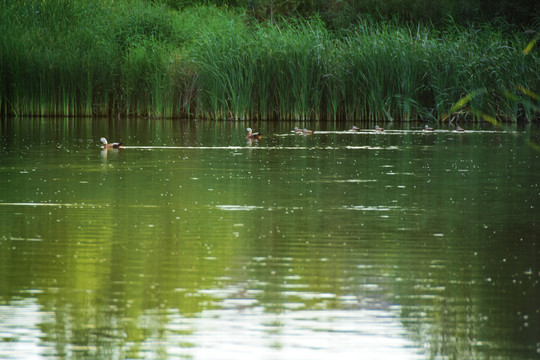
(88, 58)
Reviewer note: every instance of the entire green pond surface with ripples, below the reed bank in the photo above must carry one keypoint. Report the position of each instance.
(194, 243)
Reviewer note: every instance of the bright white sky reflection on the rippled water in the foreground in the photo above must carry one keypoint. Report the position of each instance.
(238, 331)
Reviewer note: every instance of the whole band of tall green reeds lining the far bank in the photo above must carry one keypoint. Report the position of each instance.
(228, 60)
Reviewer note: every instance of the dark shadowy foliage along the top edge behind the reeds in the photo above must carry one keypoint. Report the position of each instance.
(344, 13)
